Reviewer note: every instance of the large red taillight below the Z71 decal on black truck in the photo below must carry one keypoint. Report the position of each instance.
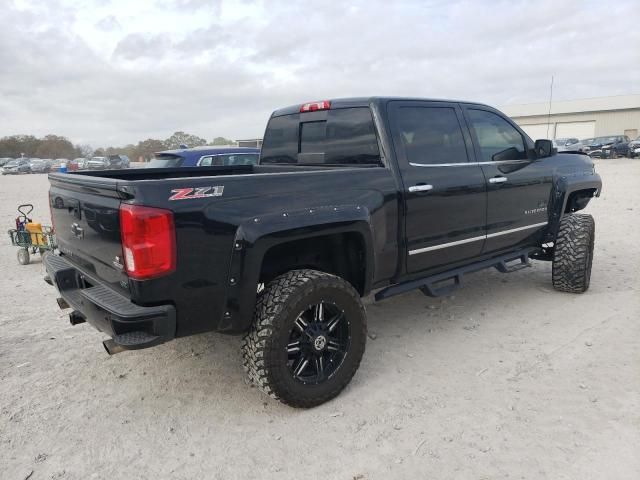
(148, 241)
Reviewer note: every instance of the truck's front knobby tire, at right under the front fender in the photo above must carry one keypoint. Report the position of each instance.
(573, 253)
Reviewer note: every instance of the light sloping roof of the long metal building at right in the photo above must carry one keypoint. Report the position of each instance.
(595, 104)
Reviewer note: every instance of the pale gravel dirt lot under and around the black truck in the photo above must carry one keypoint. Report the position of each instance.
(506, 379)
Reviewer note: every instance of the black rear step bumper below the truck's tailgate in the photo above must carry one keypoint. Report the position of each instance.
(131, 326)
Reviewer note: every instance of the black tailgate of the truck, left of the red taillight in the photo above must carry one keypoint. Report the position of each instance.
(85, 212)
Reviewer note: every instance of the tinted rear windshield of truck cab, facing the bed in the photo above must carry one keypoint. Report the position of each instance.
(347, 136)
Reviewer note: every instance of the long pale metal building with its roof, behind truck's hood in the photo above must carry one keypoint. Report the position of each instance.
(583, 118)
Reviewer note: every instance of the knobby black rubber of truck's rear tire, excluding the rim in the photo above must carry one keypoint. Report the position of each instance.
(264, 349)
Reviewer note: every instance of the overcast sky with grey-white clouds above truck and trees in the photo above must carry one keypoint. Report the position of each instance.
(110, 72)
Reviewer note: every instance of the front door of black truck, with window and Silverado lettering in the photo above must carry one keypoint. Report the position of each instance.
(518, 189)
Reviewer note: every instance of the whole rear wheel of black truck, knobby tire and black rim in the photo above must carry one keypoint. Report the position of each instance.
(307, 339)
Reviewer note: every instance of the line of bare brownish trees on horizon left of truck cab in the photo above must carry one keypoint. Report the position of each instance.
(55, 146)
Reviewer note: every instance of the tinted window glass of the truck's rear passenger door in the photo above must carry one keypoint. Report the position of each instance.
(430, 135)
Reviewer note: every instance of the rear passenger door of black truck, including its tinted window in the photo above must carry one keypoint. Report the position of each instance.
(444, 190)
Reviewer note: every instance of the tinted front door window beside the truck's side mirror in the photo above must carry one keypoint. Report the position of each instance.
(496, 136)
